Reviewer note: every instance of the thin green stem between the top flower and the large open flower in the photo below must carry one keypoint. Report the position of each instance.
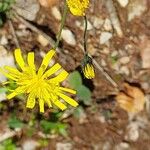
(62, 25)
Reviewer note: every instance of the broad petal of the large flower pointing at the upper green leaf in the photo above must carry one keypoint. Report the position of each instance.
(60, 77)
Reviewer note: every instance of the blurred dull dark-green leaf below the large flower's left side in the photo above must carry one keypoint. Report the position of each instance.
(13, 123)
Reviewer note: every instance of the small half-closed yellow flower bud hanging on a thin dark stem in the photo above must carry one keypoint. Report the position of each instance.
(88, 68)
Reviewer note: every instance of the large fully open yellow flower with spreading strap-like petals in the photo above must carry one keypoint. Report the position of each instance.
(37, 84)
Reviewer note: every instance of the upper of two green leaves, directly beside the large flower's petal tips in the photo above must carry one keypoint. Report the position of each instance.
(75, 79)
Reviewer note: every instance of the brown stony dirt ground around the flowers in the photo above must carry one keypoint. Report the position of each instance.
(103, 124)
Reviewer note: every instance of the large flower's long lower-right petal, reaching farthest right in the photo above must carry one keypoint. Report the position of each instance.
(69, 100)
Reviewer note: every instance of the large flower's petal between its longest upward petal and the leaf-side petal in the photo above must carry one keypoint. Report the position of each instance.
(52, 70)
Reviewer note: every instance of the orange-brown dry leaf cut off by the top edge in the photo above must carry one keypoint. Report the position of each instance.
(48, 3)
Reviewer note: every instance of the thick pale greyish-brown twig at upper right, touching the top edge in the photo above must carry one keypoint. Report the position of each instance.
(113, 17)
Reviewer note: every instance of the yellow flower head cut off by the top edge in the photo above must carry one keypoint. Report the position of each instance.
(77, 7)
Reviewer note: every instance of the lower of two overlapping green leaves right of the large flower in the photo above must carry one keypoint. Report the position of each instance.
(84, 94)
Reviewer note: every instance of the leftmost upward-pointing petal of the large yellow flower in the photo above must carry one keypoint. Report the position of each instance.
(19, 59)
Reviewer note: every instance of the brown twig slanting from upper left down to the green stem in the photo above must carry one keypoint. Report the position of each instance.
(35, 29)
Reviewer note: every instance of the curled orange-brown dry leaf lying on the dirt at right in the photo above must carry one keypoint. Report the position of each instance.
(132, 99)
